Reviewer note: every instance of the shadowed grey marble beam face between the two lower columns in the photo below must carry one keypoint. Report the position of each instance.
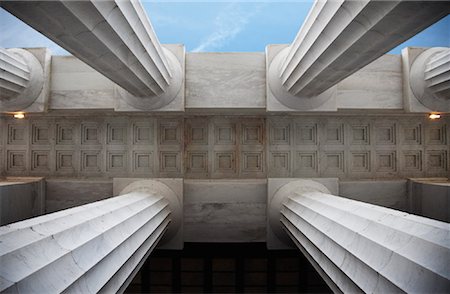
(225, 211)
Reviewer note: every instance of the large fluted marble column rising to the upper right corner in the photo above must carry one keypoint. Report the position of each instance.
(340, 37)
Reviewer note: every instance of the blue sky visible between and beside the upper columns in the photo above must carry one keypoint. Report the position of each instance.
(215, 26)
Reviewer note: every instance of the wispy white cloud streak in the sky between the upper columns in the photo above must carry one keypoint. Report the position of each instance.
(228, 24)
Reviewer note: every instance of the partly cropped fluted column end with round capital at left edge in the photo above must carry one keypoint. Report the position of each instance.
(21, 79)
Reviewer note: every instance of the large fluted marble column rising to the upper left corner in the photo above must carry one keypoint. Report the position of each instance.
(115, 38)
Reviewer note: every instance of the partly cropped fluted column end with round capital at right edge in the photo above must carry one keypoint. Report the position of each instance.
(429, 78)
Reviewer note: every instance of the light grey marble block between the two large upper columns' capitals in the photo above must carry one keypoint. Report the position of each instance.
(220, 81)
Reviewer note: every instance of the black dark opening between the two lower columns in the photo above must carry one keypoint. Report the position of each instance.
(227, 268)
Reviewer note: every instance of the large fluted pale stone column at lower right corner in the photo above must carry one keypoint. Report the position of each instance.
(359, 247)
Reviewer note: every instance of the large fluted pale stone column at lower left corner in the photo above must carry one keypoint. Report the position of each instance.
(98, 247)
